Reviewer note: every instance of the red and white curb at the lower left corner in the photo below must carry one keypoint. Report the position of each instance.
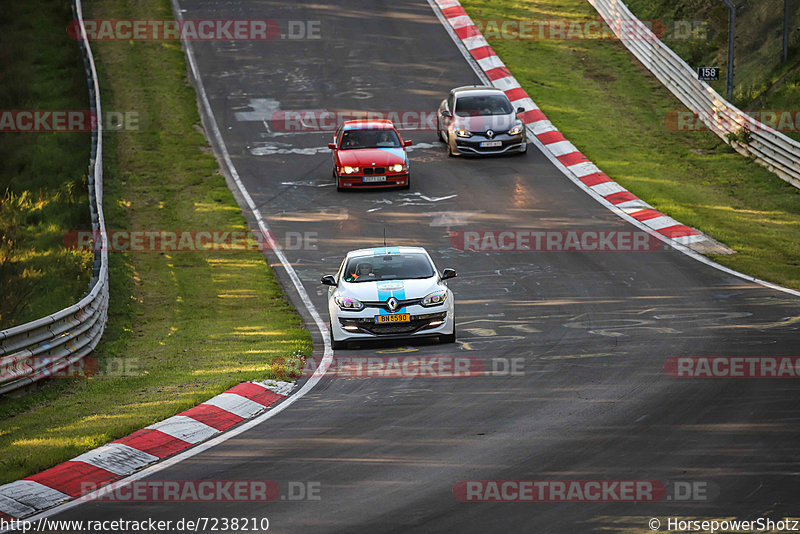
(120, 458)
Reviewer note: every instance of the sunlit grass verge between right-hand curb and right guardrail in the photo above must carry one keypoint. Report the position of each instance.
(614, 111)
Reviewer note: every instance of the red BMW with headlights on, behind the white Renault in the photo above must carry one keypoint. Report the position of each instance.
(369, 153)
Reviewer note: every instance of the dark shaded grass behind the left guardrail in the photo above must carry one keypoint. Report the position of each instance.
(43, 191)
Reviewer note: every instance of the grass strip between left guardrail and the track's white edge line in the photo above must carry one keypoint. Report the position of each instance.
(183, 326)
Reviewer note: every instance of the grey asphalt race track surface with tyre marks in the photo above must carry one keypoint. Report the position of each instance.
(593, 329)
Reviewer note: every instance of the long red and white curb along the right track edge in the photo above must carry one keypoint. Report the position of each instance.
(554, 141)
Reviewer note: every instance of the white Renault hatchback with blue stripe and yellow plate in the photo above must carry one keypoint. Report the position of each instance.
(390, 293)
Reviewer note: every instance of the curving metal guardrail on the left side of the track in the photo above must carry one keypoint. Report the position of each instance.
(55, 343)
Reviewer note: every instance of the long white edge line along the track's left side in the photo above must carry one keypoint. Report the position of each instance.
(312, 311)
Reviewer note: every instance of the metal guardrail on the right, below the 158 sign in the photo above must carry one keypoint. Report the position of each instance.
(779, 153)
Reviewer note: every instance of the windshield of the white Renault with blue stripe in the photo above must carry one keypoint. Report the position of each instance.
(388, 267)
